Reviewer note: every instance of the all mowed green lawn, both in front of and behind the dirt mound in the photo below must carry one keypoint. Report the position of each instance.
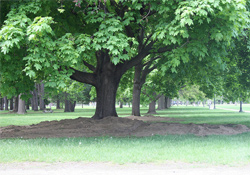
(219, 150)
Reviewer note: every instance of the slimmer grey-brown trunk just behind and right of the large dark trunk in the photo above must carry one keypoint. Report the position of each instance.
(137, 91)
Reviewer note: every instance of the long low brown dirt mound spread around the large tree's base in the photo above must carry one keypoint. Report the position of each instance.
(115, 126)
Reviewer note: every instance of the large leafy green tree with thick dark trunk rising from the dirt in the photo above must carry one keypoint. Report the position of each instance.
(96, 42)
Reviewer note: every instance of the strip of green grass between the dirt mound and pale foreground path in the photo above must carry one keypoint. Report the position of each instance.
(217, 150)
